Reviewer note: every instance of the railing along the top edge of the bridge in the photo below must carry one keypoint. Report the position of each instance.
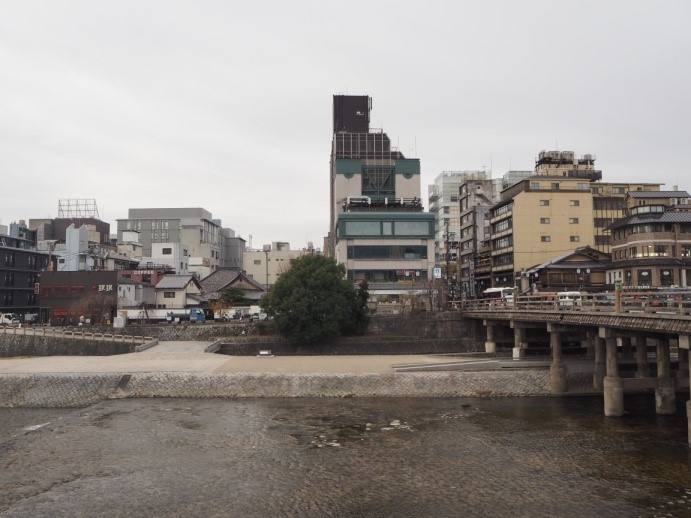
(649, 302)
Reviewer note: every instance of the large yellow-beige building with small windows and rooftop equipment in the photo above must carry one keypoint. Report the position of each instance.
(563, 206)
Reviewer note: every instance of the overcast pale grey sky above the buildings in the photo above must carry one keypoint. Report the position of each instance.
(227, 105)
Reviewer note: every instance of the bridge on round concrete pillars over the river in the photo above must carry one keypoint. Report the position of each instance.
(653, 328)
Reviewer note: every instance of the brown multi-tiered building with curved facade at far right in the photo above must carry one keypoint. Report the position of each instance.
(651, 247)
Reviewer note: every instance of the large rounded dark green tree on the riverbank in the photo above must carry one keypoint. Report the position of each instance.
(313, 301)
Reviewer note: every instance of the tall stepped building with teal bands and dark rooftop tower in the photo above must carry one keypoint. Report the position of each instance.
(379, 229)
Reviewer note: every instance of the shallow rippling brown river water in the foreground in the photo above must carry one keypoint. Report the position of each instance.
(345, 457)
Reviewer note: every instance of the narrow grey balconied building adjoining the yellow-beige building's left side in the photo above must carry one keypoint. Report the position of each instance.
(476, 197)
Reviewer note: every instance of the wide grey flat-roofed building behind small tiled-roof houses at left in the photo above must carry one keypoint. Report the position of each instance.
(209, 245)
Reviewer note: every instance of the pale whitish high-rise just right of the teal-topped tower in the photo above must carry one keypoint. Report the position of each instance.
(443, 200)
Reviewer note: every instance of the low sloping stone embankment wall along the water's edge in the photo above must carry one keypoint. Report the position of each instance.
(76, 390)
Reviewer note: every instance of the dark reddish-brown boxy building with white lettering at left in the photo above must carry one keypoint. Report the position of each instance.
(69, 296)
